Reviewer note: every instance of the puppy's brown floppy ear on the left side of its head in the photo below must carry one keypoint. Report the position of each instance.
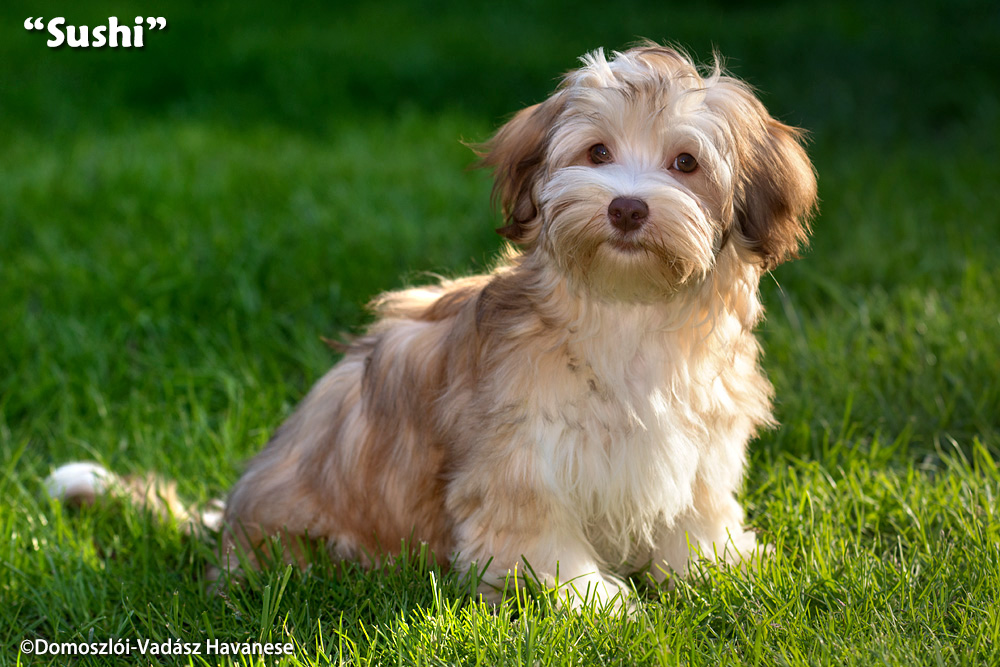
(516, 153)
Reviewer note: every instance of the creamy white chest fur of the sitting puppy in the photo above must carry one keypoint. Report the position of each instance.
(628, 413)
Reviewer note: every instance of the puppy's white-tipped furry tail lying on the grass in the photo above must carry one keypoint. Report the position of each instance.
(82, 483)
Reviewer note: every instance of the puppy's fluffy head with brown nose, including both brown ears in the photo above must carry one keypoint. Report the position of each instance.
(638, 171)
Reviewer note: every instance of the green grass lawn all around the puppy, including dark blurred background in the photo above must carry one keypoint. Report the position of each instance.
(179, 227)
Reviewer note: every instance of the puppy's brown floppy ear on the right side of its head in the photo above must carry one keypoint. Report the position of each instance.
(776, 194)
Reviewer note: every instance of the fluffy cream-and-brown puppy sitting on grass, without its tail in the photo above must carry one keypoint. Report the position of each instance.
(583, 410)
